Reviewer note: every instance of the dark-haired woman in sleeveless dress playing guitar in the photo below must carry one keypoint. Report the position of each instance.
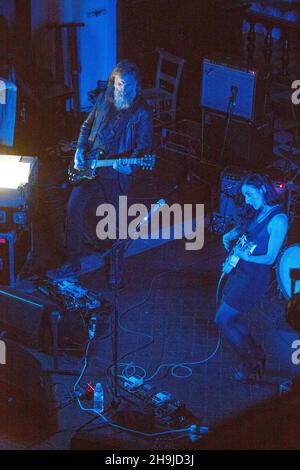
(249, 281)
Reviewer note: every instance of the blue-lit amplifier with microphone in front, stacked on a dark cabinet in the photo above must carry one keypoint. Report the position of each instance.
(222, 82)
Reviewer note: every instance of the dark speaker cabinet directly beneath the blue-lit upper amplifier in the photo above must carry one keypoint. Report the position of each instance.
(248, 144)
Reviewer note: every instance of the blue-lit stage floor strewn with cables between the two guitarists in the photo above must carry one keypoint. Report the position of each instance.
(167, 310)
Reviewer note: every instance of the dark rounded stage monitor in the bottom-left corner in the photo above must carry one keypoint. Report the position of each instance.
(26, 402)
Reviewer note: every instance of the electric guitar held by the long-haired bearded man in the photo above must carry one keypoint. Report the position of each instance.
(93, 162)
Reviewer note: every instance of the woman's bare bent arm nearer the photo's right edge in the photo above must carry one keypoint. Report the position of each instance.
(277, 228)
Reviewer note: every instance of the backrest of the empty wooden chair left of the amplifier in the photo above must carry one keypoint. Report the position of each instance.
(163, 77)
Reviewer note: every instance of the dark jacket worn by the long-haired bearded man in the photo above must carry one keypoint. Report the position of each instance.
(136, 136)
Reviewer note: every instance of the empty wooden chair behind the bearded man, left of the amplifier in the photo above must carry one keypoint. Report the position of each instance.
(163, 98)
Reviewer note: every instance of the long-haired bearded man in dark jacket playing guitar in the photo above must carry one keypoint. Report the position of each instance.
(120, 123)
